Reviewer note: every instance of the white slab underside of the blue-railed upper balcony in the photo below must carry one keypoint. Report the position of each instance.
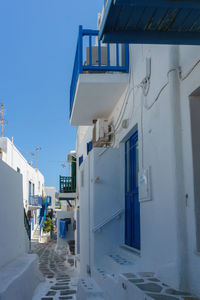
(96, 96)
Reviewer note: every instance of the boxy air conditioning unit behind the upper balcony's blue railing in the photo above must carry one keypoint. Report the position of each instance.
(95, 56)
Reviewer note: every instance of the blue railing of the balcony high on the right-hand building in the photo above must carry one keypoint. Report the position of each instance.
(85, 60)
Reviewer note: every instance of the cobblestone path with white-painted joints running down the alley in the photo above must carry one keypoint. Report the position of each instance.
(60, 280)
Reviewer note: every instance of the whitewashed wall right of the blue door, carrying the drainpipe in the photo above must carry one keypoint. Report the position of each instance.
(168, 230)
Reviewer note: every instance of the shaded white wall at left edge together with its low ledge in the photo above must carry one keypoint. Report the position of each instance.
(18, 269)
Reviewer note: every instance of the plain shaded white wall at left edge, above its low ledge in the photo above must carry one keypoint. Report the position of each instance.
(12, 235)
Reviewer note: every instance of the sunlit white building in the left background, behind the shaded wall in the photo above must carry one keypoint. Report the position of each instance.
(33, 180)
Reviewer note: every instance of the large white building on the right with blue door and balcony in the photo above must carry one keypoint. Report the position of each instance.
(138, 185)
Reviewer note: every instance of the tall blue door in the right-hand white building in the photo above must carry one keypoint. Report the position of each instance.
(132, 205)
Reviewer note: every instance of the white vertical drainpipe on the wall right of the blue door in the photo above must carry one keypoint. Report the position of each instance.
(177, 160)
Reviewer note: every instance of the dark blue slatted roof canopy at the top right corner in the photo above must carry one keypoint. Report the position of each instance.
(151, 22)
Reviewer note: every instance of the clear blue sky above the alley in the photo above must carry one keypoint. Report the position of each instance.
(37, 48)
